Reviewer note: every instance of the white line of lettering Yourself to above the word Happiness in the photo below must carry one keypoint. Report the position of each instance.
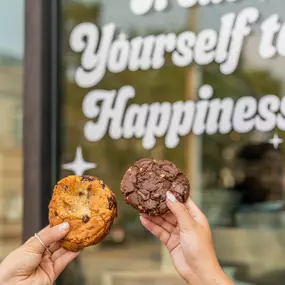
(103, 51)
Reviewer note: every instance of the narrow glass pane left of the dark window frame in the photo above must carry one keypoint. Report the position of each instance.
(11, 150)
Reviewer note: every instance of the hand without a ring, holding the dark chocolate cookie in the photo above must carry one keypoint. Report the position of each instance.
(187, 235)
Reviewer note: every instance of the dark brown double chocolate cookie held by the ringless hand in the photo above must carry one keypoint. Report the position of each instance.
(146, 182)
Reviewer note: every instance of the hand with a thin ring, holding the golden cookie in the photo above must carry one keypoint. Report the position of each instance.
(32, 264)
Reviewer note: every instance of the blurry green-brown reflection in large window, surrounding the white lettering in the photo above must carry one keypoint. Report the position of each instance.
(237, 179)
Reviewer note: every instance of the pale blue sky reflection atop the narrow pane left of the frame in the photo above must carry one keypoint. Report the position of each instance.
(12, 27)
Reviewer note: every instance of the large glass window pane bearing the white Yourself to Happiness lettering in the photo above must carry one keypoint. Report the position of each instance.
(223, 64)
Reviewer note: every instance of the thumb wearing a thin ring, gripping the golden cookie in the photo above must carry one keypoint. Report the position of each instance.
(48, 236)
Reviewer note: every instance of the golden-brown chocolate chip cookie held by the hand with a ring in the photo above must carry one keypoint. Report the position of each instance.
(88, 205)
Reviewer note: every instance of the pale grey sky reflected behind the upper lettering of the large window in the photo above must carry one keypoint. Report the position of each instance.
(208, 17)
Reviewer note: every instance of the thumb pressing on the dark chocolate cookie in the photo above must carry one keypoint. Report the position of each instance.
(181, 212)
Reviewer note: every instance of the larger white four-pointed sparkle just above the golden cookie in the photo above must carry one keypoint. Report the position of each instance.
(79, 165)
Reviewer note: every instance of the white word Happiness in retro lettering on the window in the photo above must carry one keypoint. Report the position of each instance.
(109, 112)
